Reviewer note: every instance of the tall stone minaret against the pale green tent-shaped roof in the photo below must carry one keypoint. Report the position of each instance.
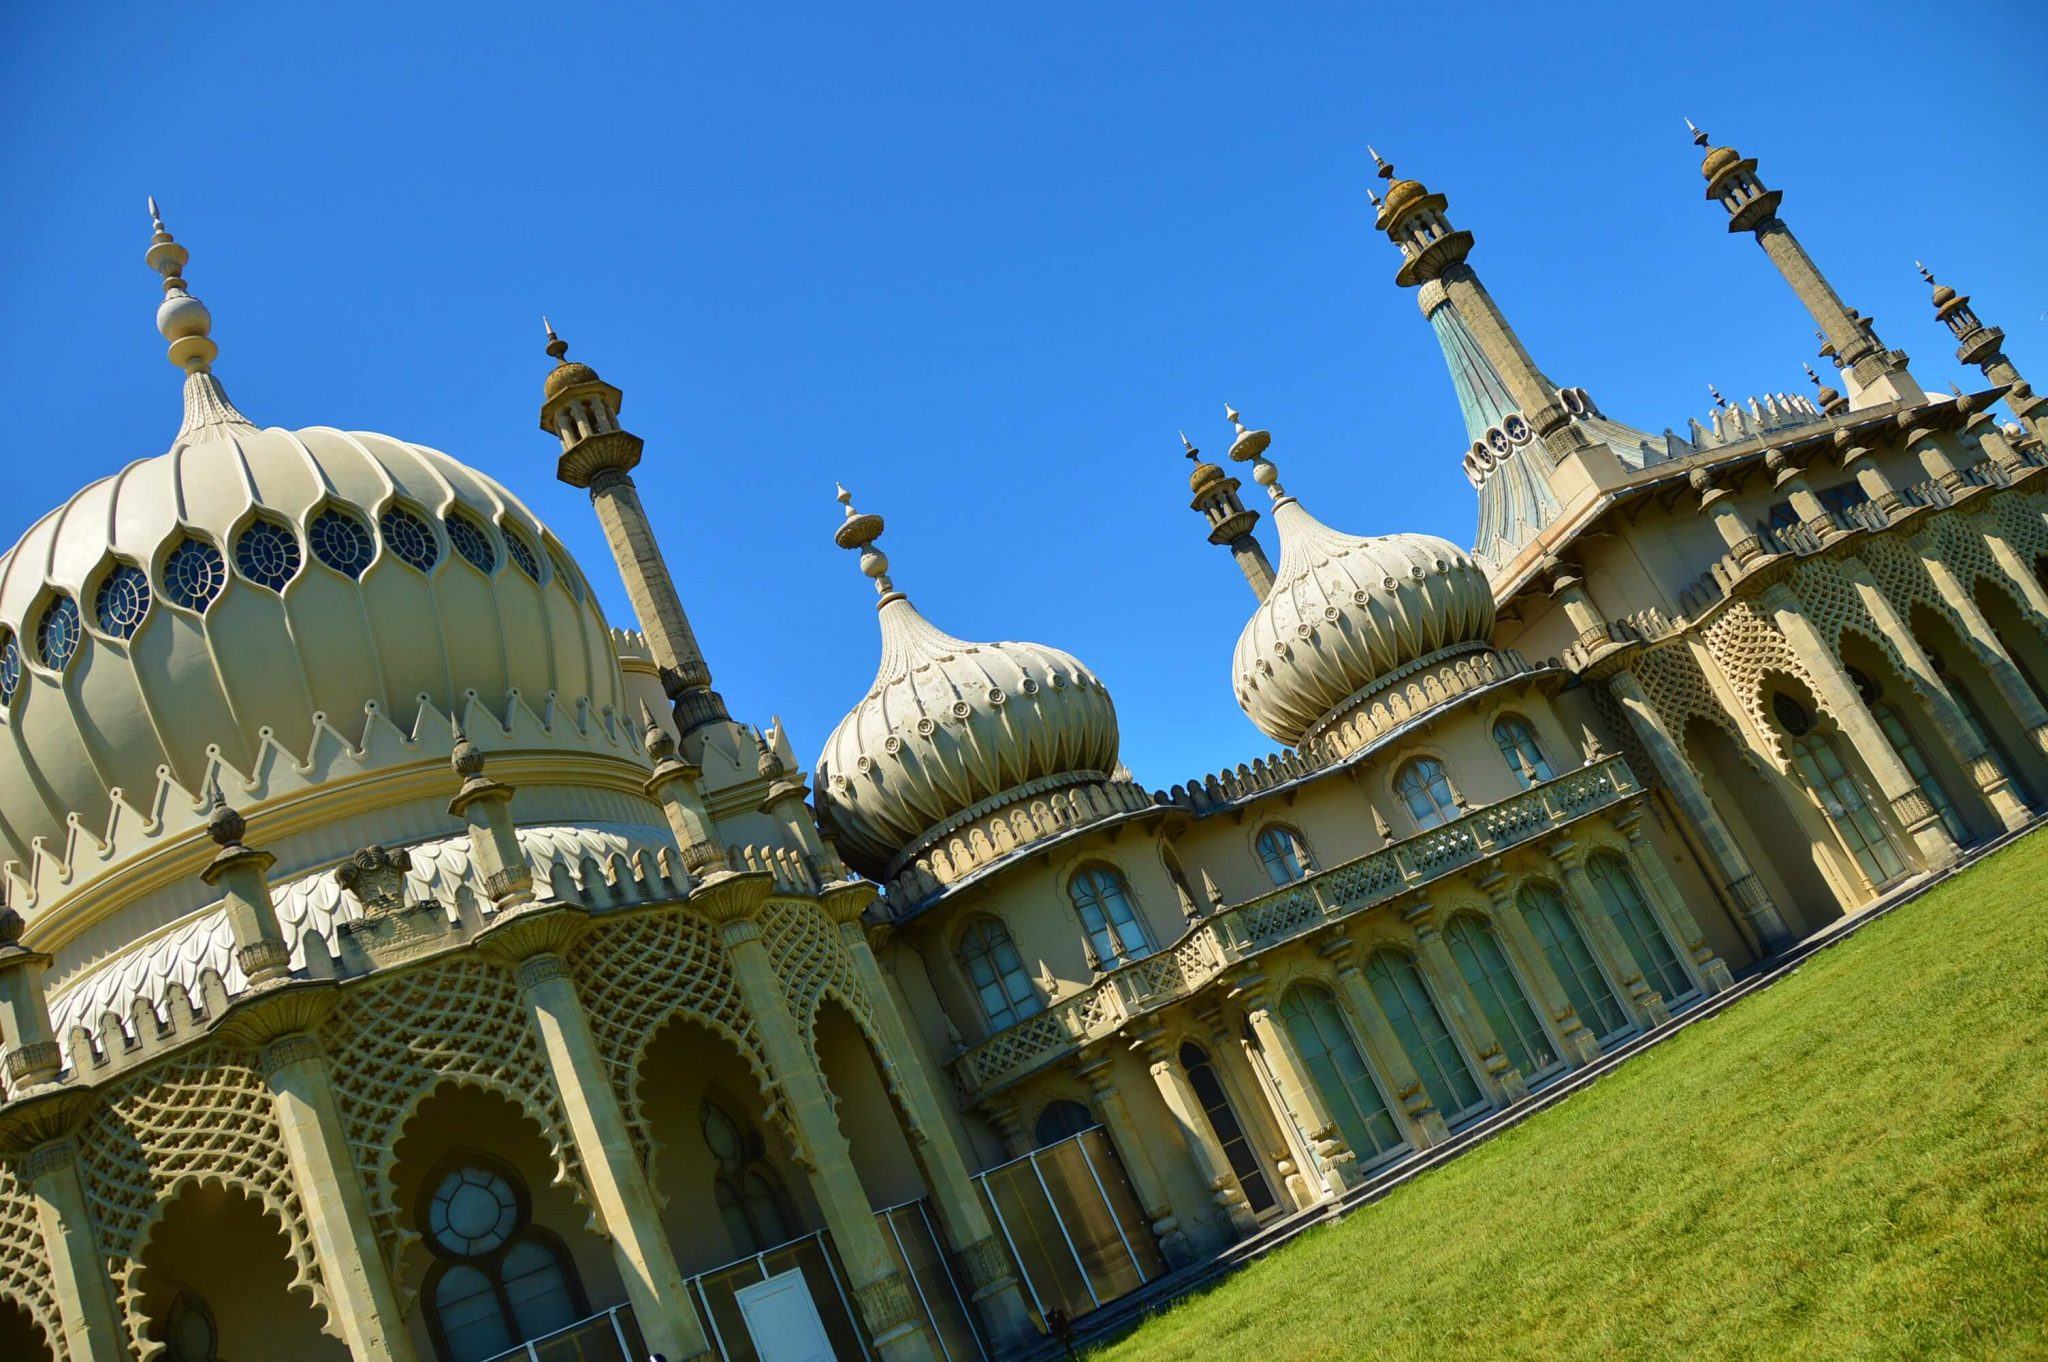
(1435, 261)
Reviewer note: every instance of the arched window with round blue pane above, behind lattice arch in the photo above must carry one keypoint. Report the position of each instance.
(499, 1279)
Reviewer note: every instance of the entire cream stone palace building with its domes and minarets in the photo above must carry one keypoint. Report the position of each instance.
(376, 1001)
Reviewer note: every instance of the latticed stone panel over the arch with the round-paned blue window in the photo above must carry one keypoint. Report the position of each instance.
(398, 1039)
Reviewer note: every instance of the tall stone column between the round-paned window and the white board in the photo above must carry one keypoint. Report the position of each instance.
(531, 943)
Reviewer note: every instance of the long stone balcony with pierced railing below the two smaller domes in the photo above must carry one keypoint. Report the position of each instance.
(1244, 931)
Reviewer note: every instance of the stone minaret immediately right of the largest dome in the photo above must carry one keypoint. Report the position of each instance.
(601, 456)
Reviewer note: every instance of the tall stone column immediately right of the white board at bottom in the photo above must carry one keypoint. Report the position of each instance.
(732, 904)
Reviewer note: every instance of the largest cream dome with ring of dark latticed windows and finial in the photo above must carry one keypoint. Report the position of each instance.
(253, 587)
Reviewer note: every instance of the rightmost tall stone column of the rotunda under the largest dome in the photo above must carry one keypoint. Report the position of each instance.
(962, 1209)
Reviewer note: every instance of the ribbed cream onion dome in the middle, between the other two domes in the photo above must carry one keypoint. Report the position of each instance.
(951, 732)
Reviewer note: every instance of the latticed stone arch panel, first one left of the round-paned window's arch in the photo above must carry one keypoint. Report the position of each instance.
(198, 1119)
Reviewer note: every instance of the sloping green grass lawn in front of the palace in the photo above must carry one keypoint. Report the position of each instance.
(1852, 1164)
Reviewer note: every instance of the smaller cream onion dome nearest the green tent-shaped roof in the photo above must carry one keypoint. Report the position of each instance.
(1349, 615)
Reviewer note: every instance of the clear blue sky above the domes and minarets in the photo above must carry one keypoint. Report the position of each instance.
(980, 263)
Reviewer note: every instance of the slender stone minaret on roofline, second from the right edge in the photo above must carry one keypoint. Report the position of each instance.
(1873, 372)
